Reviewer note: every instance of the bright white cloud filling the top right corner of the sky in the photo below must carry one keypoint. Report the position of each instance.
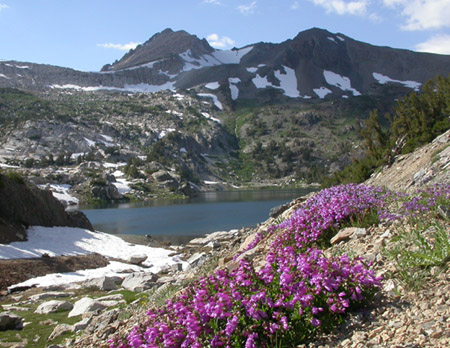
(422, 14)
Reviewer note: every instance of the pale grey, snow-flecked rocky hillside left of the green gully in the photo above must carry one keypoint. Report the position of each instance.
(106, 145)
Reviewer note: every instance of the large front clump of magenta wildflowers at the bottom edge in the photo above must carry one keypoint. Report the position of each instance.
(283, 303)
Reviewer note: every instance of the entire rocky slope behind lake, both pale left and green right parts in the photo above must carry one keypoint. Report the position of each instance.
(116, 146)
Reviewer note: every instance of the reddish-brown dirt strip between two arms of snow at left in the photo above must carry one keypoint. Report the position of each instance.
(20, 270)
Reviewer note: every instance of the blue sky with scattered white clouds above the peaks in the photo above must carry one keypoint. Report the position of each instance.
(87, 34)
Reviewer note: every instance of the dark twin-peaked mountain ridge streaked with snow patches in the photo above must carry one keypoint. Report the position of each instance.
(315, 64)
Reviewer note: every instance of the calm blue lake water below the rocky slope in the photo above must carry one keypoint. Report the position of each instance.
(207, 213)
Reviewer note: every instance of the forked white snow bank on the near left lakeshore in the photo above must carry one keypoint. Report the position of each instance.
(56, 241)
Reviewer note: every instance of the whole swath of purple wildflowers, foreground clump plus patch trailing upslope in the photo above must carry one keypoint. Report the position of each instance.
(296, 293)
